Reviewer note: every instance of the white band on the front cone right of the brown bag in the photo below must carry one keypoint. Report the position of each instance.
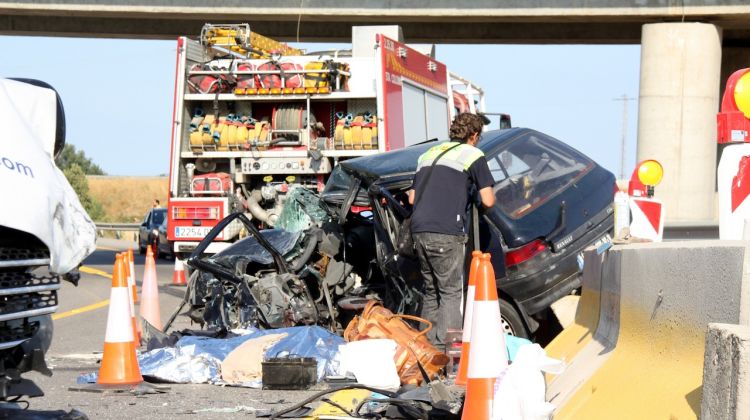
(487, 355)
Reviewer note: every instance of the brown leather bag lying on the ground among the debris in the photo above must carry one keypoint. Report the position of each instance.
(378, 322)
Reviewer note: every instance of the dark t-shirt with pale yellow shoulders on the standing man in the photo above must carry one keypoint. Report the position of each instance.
(441, 206)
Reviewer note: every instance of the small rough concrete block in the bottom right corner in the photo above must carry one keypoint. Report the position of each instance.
(726, 372)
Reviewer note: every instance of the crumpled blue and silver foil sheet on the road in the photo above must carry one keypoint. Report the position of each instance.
(198, 359)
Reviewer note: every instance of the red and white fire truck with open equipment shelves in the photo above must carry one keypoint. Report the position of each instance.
(254, 117)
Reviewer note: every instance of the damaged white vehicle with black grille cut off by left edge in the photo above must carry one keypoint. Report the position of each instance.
(44, 231)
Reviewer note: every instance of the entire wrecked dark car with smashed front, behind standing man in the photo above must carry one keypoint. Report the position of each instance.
(336, 250)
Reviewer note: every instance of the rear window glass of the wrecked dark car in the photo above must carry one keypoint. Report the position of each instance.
(532, 169)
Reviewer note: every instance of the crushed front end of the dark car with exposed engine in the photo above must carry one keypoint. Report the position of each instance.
(316, 267)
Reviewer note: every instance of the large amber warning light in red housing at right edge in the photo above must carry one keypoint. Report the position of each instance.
(733, 122)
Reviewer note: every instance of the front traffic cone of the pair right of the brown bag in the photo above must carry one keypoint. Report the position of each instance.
(487, 355)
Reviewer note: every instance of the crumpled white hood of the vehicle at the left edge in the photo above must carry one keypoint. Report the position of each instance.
(36, 196)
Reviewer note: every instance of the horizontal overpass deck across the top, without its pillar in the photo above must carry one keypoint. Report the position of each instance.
(438, 21)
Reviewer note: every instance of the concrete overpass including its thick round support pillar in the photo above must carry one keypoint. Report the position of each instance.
(689, 47)
